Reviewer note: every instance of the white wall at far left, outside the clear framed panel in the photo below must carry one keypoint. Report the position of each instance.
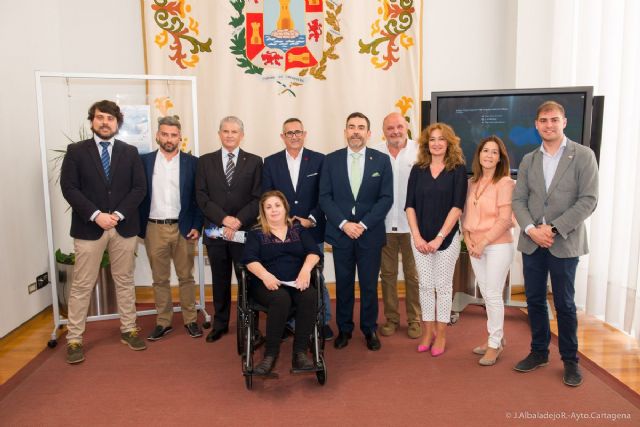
(58, 35)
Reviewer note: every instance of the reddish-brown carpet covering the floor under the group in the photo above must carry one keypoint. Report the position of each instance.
(185, 381)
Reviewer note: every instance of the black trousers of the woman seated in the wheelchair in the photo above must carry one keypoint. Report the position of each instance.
(279, 304)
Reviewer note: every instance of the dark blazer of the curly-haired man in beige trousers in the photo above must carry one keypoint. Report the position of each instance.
(85, 187)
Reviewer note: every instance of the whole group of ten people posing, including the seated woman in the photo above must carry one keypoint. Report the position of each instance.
(402, 197)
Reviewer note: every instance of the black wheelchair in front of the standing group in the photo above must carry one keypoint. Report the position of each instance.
(247, 315)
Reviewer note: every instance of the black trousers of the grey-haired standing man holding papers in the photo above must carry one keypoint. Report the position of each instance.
(222, 256)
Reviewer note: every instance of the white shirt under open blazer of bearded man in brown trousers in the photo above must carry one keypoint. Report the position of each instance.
(165, 195)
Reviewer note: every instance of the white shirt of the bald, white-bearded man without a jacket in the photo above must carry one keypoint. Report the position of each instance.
(396, 220)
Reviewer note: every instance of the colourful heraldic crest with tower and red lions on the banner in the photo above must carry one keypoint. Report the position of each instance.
(286, 40)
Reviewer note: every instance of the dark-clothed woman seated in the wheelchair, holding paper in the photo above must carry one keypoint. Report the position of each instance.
(276, 251)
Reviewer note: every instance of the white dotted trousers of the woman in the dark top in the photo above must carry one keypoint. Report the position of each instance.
(435, 277)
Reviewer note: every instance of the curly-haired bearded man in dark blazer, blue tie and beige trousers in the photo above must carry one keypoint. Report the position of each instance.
(102, 179)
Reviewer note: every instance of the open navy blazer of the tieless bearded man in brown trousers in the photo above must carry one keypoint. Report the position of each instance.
(190, 216)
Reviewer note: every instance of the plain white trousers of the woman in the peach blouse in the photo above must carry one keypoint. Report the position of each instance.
(491, 271)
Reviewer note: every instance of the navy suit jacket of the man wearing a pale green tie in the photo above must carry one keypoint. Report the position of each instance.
(375, 197)
